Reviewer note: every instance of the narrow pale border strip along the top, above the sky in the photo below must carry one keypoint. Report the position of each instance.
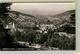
(37, 1)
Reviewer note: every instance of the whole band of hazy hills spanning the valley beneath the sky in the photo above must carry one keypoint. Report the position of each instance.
(27, 20)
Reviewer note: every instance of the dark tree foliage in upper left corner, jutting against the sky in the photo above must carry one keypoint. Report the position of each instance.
(4, 9)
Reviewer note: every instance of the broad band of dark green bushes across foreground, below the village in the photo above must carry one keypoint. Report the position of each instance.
(52, 39)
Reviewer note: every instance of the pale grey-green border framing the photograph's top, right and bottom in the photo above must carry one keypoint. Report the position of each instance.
(51, 52)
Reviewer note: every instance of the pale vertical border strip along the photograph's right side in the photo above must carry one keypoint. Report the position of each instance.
(78, 25)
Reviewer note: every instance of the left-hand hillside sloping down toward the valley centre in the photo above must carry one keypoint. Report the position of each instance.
(23, 20)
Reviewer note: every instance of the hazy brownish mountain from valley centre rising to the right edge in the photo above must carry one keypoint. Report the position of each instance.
(55, 19)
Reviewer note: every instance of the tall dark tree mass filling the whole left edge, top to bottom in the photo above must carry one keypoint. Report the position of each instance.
(5, 39)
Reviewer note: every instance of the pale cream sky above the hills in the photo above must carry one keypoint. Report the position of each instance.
(42, 8)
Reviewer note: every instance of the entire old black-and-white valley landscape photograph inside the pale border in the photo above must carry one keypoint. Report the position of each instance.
(37, 26)
